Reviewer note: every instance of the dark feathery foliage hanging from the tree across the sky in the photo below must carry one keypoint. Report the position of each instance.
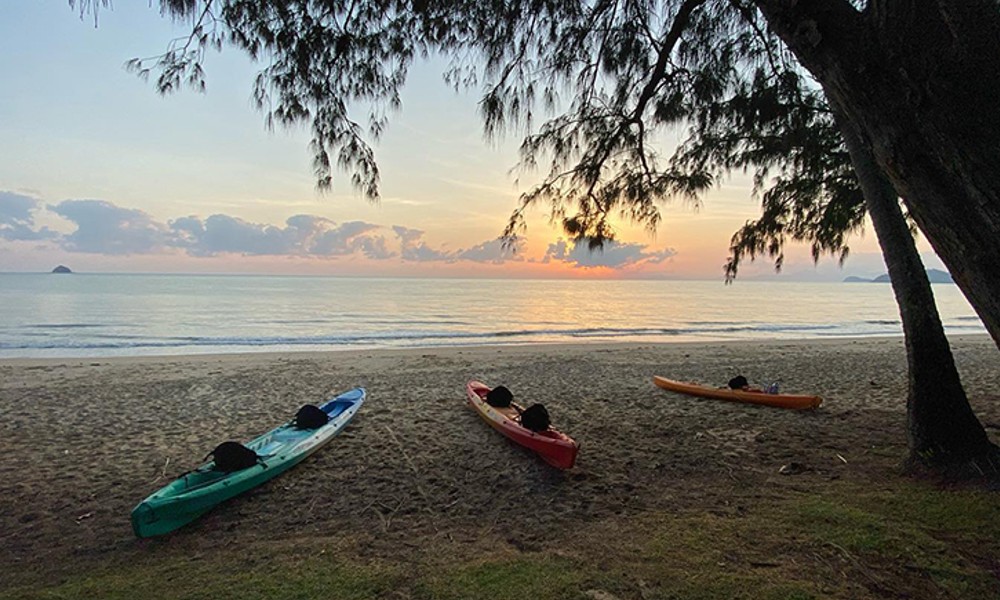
(600, 90)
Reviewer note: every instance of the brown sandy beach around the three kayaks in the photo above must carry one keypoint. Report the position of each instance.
(84, 440)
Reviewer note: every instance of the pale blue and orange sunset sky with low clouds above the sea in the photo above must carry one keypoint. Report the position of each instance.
(100, 173)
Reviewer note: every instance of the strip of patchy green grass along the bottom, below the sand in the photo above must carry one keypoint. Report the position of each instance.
(836, 540)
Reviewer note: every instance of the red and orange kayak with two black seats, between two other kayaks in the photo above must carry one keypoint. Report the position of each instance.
(555, 447)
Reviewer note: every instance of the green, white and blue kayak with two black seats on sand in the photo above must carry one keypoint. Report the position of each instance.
(195, 493)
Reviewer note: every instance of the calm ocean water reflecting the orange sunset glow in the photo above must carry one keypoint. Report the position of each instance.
(93, 315)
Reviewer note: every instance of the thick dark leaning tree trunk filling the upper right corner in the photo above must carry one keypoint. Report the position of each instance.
(920, 81)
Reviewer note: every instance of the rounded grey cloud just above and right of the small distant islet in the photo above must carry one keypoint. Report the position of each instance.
(103, 228)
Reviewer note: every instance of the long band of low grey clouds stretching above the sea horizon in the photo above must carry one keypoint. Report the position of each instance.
(104, 228)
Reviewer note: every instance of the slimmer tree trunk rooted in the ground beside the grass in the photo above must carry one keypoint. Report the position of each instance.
(942, 430)
